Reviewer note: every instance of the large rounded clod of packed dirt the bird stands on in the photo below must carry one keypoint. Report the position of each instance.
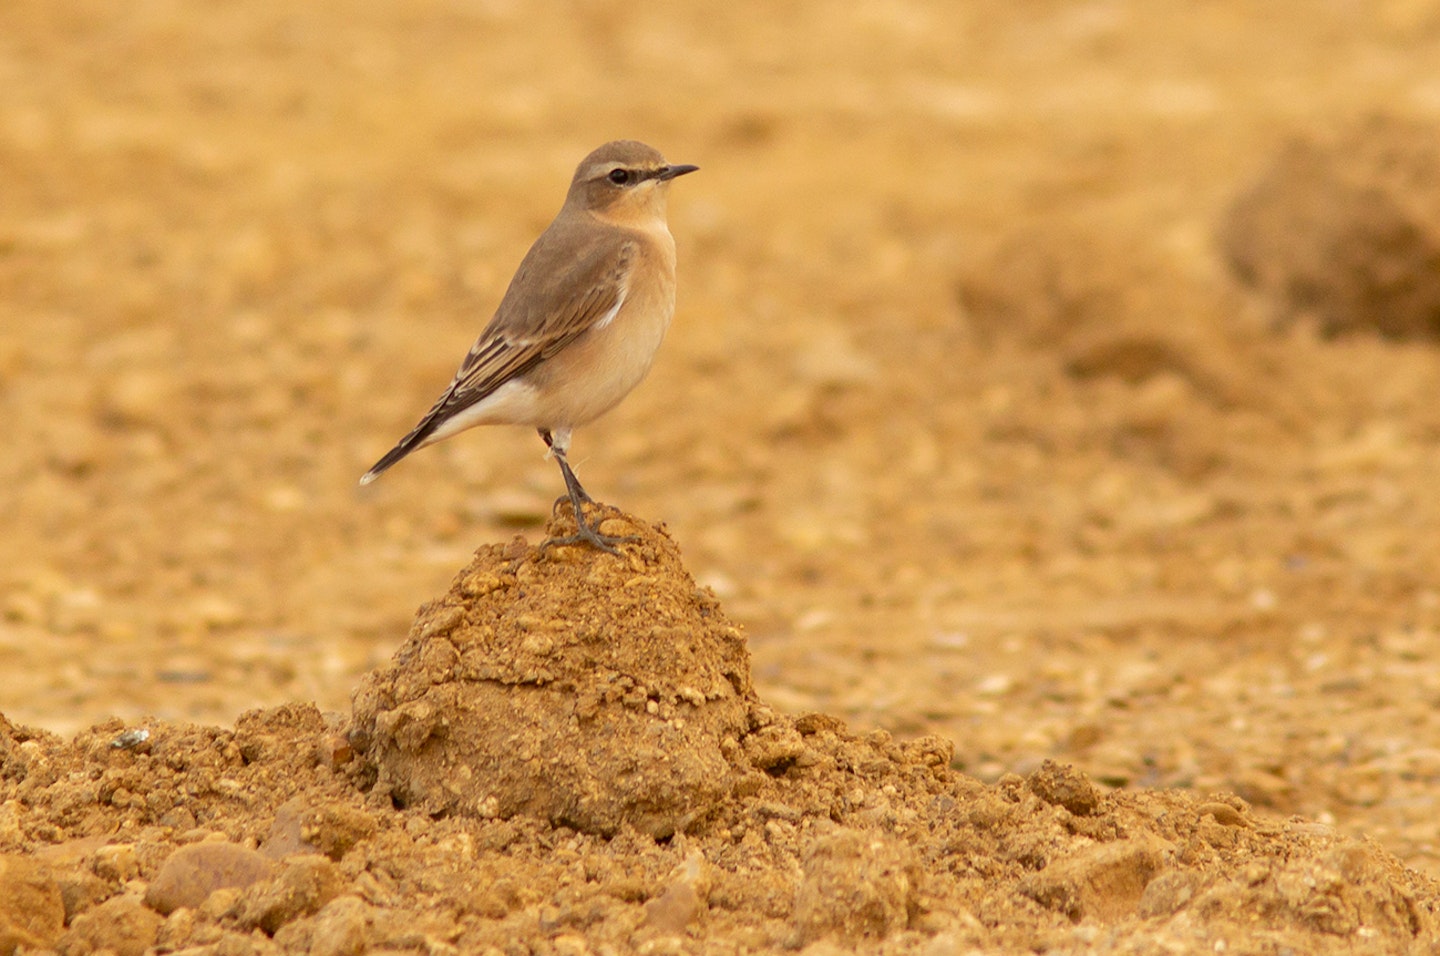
(588, 690)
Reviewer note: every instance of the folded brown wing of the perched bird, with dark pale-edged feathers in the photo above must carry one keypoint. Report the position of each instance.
(574, 279)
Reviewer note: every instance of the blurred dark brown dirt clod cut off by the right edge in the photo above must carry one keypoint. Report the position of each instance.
(1347, 231)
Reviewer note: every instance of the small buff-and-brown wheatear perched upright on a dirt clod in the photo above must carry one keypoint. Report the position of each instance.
(580, 326)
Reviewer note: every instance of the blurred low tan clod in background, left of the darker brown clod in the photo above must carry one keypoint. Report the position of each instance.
(1104, 303)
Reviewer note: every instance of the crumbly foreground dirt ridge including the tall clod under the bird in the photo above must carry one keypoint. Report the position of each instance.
(618, 693)
